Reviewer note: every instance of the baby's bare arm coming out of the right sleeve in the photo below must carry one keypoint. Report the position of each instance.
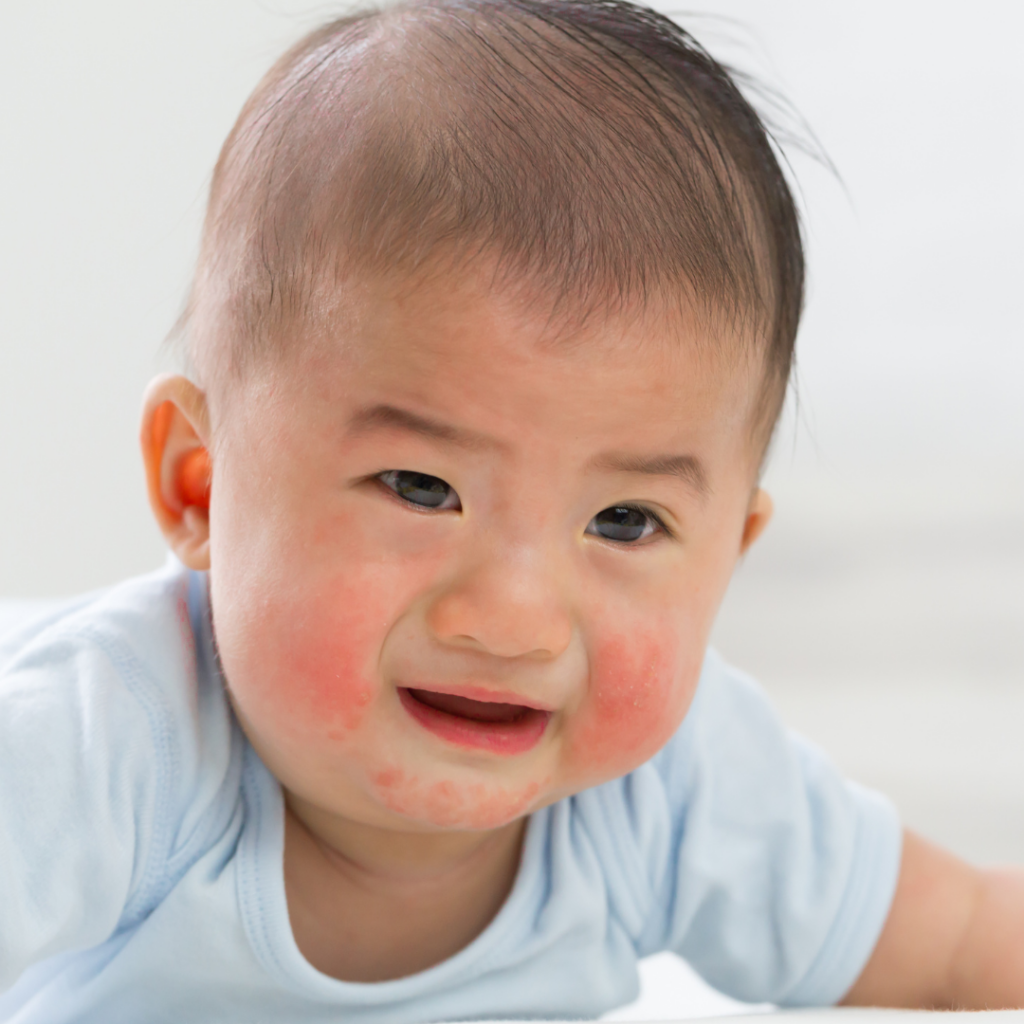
(955, 936)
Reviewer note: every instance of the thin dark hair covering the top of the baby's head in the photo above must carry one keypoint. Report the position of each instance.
(593, 146)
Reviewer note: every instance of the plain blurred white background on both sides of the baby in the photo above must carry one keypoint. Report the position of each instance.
(885, 609)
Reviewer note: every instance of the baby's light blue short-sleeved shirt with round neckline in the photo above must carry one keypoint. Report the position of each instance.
(142, 841)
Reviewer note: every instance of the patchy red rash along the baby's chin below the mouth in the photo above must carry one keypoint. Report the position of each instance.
(450, 804)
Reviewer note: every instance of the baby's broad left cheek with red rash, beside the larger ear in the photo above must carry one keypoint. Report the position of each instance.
(305, 599)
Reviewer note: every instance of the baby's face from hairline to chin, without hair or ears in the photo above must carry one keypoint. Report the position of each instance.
(465, 564)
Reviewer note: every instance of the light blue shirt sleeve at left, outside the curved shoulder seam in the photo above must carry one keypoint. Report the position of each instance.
(79, 771)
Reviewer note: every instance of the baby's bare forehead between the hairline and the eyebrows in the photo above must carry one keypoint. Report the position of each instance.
(509, 362)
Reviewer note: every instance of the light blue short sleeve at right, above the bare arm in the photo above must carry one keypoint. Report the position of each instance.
(780, 874)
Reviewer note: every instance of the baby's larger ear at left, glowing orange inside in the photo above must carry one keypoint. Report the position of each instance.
(176, 436)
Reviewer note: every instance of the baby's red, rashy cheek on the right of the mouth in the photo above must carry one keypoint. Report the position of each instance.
(641, 689)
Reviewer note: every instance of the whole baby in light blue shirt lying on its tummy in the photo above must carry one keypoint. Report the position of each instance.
(493, 320)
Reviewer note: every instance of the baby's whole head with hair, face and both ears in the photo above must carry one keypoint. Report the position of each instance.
(494, 316)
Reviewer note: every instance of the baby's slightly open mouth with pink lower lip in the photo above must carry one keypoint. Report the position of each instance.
(490, 726)
